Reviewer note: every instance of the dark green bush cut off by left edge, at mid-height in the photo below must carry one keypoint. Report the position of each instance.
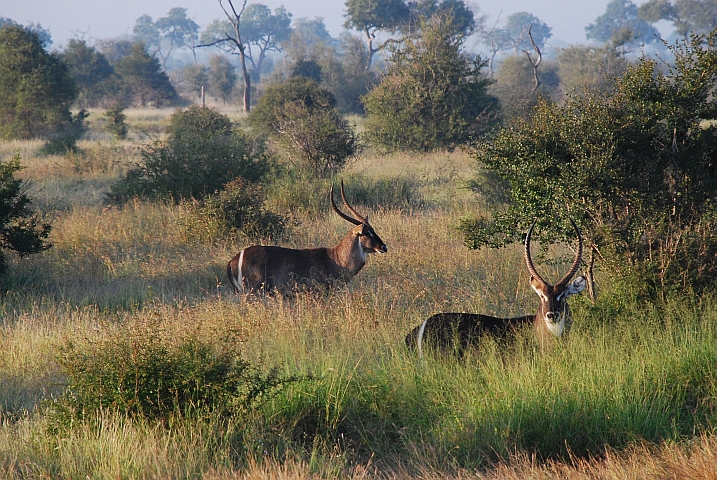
(21, 230)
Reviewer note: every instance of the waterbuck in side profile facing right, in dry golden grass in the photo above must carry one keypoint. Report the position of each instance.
(261, 269)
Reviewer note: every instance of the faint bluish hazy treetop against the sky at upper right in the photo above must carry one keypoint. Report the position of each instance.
(621, 25)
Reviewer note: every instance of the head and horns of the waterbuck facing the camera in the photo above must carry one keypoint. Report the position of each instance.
(554, 311)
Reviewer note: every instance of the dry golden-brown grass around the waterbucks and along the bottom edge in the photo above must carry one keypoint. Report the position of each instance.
(132, 264)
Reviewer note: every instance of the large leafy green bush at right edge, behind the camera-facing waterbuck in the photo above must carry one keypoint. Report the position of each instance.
(633, 167)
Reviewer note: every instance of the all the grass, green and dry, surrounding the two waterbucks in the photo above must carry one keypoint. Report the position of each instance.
(630, 374)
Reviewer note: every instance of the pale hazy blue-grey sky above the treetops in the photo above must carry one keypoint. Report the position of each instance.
(66, 19)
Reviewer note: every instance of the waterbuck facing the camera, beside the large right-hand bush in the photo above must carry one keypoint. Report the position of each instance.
(457, 331)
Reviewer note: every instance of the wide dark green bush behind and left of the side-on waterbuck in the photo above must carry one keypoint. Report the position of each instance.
(202, 153)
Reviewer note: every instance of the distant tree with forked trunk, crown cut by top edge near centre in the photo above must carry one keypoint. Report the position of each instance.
(370, 17)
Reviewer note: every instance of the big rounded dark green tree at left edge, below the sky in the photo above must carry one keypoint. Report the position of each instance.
(36, 88)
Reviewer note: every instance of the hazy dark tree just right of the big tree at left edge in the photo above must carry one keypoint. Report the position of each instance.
(91, 71)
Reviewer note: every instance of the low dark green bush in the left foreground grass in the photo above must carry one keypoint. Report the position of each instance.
(142, 375)
